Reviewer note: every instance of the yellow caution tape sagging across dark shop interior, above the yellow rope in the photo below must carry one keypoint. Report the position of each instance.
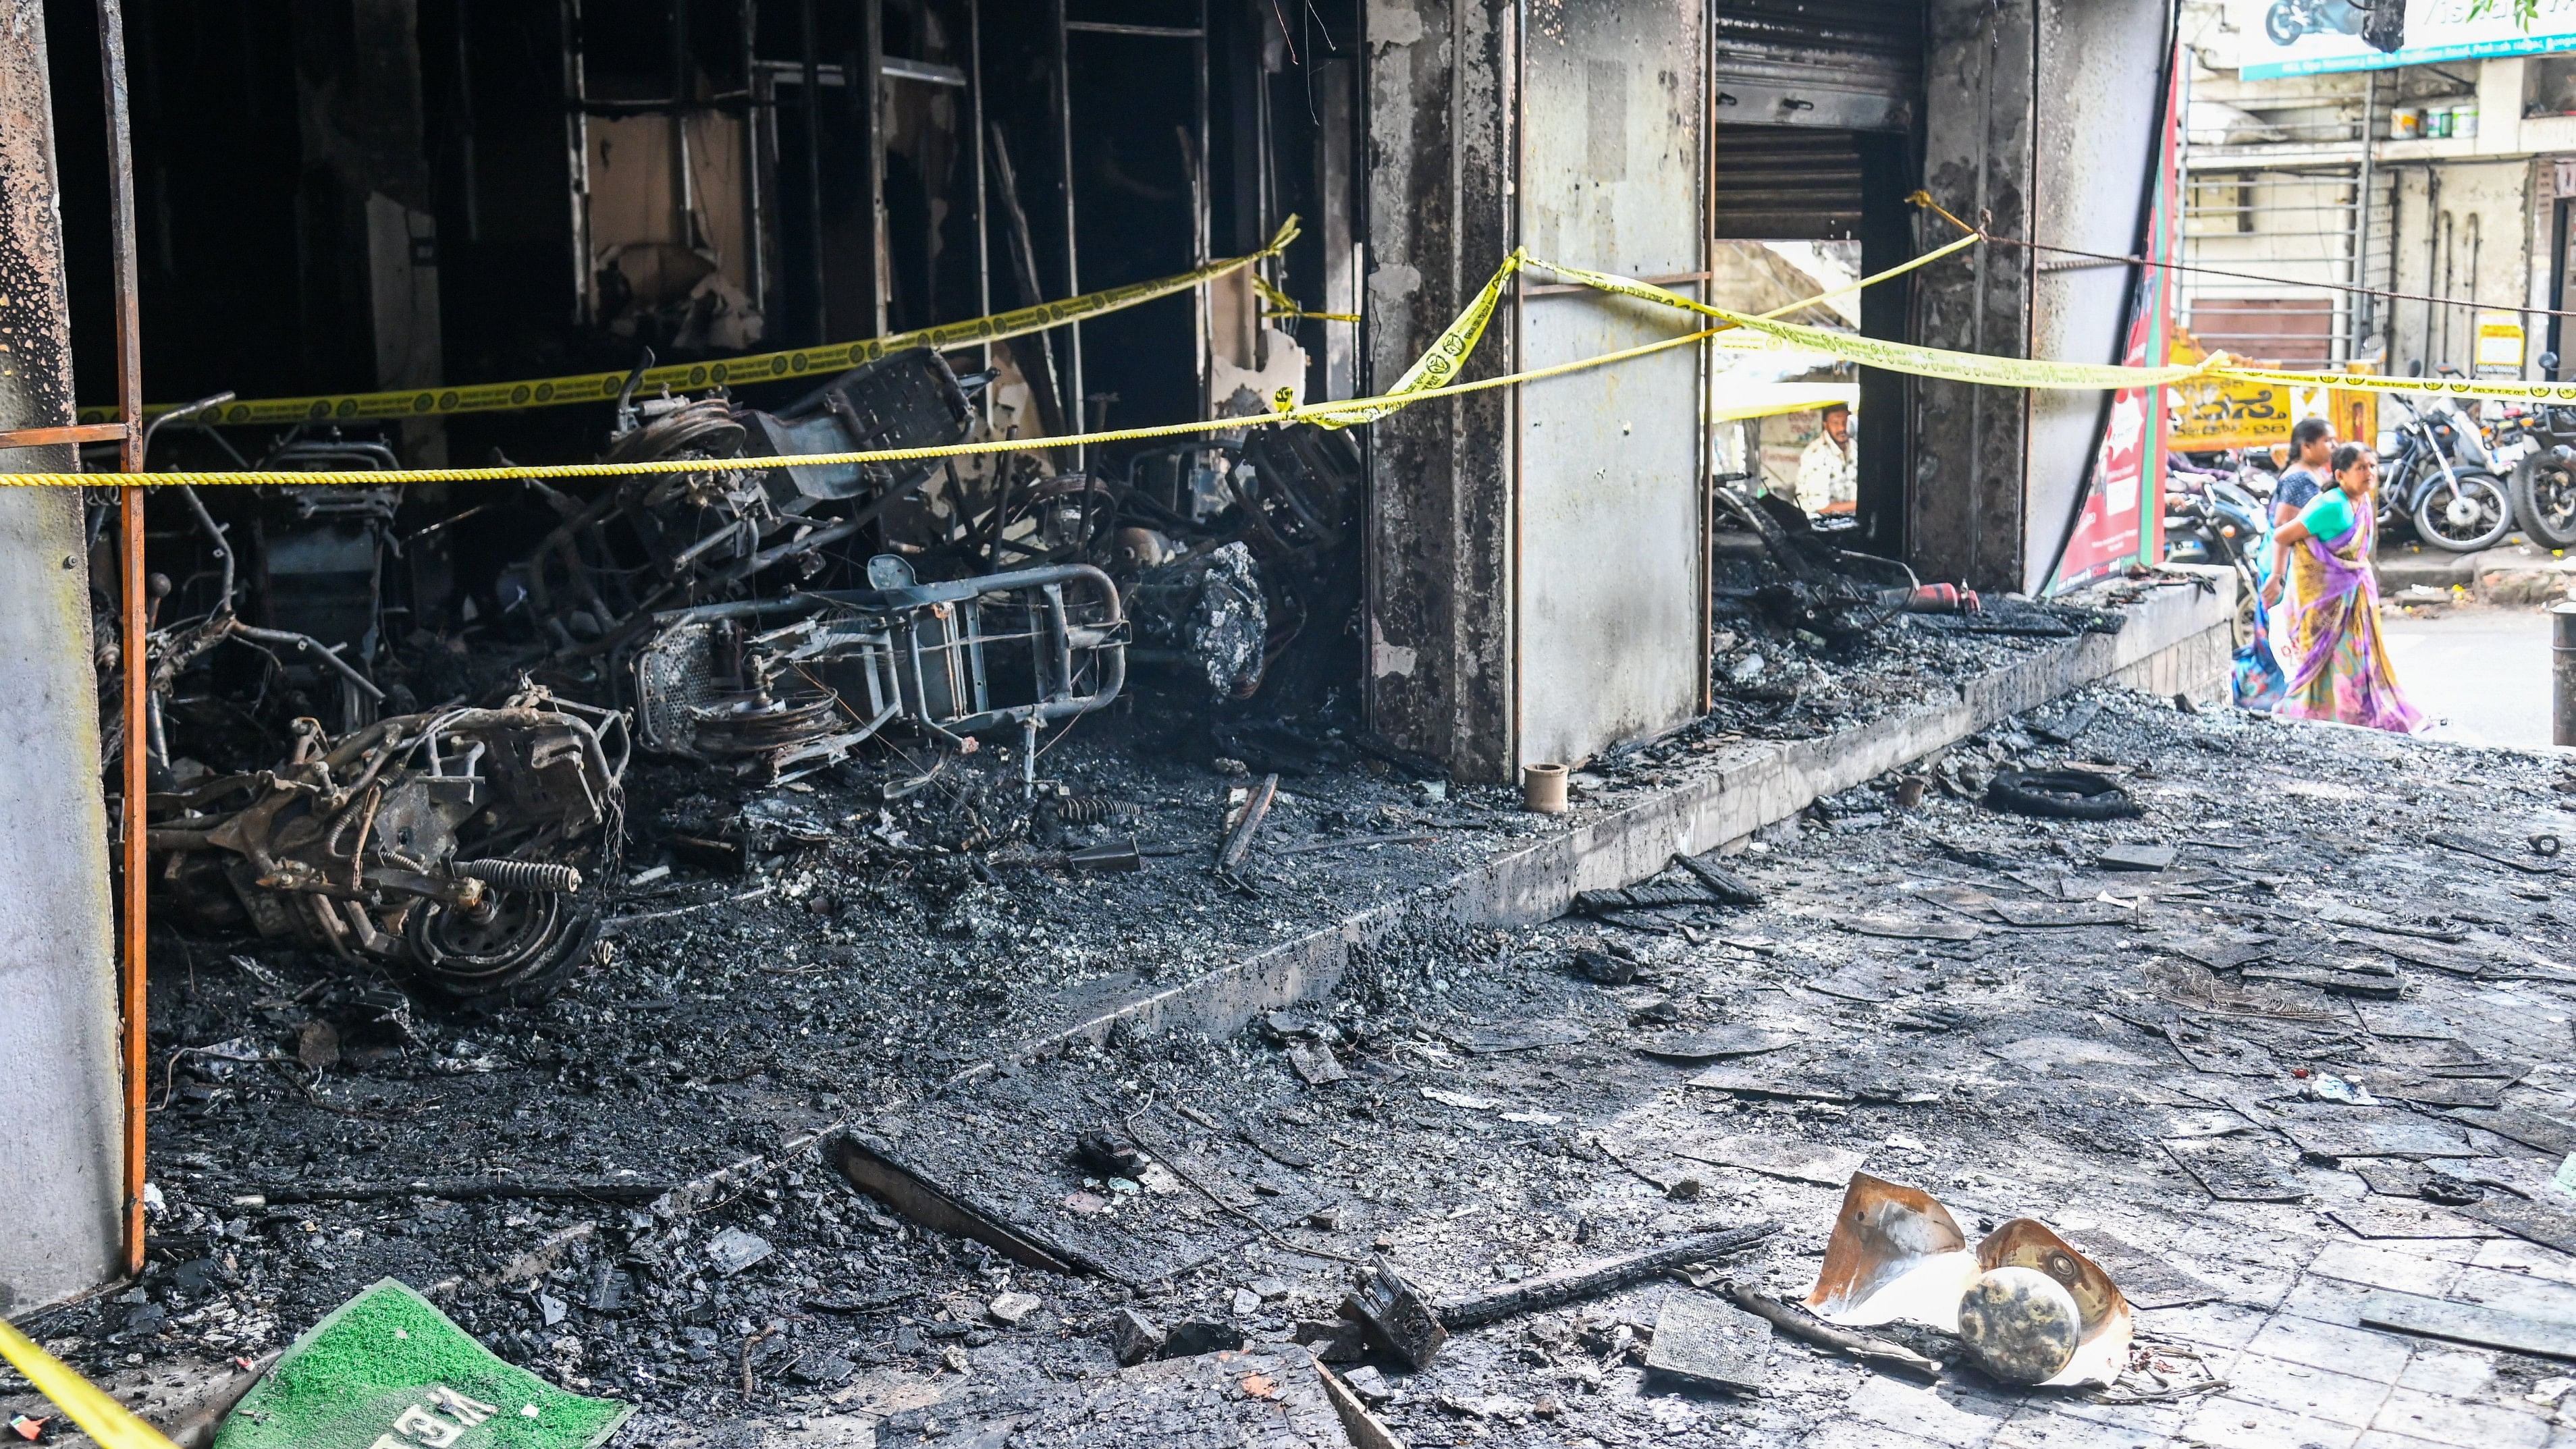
(730, 372)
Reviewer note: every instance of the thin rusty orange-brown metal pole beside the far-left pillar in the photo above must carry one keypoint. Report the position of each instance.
(130, 459)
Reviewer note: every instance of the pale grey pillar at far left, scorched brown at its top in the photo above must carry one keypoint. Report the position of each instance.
(58, 961)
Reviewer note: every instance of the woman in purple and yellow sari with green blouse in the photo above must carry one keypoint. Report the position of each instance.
(2333, 647)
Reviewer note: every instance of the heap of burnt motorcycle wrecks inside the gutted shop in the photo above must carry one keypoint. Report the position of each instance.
(341, 748)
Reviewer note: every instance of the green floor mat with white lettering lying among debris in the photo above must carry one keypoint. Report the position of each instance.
(388, 1368)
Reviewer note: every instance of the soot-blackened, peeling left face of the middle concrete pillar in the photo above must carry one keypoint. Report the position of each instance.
(1441, 158)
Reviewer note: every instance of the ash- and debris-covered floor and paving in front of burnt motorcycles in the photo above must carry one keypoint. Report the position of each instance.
(1498, 1118)
